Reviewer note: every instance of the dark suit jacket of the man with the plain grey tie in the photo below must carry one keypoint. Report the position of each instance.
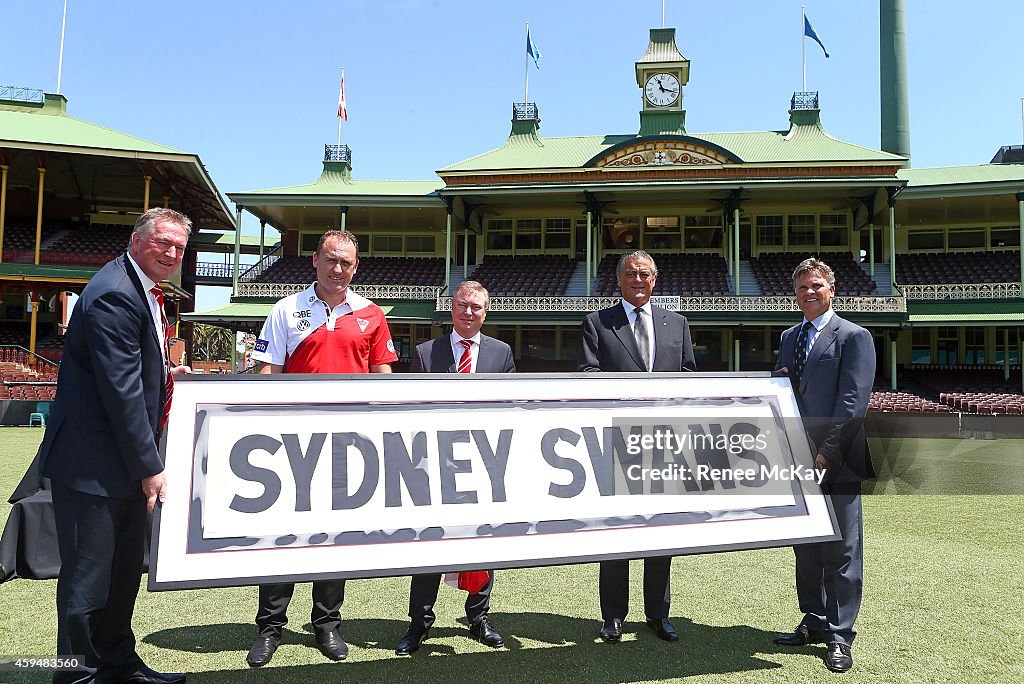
(607, 343)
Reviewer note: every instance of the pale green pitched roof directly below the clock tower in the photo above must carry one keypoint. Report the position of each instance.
(802, 144)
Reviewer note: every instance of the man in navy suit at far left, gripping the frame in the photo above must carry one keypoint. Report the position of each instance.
(101, 450)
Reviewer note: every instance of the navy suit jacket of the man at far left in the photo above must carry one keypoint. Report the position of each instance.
(102, 437)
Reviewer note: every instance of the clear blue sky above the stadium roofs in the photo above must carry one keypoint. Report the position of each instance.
(252, 88)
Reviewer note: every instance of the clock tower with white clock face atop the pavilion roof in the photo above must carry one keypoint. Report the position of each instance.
(662, 73)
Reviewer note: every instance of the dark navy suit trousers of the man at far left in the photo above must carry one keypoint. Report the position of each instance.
(101, 542)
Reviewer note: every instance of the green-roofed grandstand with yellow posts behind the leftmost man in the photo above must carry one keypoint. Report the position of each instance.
(70, 194)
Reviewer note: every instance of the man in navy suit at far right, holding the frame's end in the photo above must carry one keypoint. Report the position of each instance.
(831, 363)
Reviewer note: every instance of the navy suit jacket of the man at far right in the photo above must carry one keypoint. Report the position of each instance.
(833, 395)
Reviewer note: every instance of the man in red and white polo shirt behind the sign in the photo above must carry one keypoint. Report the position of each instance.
(324, 329)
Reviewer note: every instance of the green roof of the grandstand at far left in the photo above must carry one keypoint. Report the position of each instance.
(49, 124)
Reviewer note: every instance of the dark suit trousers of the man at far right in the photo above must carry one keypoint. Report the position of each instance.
(830, 576)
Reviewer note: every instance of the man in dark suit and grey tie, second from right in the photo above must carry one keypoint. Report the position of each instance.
(634, 336)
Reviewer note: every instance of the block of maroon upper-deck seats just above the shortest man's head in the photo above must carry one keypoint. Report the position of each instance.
(531, 275)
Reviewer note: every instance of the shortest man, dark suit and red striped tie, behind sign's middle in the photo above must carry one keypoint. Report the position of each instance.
(465, 351)
